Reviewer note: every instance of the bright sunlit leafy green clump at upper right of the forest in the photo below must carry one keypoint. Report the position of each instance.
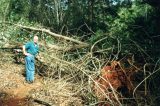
(123, 25)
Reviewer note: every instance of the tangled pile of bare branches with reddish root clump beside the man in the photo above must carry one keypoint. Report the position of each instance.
(69, 73)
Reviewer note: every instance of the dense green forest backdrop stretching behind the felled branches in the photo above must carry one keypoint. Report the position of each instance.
(106, 18)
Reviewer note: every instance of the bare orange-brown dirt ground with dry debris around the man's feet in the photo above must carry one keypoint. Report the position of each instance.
(14, 91)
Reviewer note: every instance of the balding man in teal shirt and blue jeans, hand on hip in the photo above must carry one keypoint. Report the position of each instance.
(30, 50)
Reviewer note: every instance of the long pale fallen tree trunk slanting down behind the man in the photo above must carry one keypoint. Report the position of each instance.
(53, 34)
